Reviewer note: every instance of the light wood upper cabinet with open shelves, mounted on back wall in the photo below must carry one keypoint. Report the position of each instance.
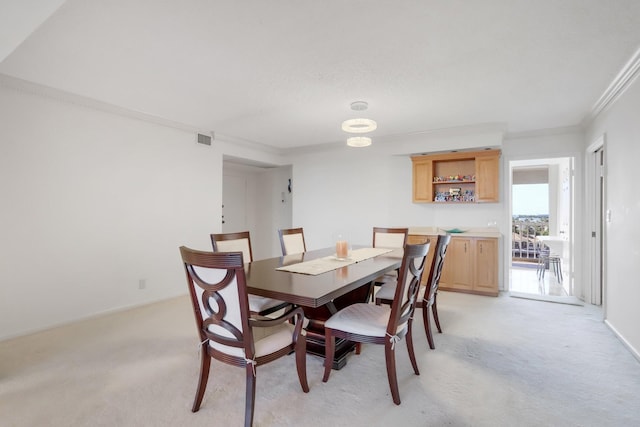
(460, 177)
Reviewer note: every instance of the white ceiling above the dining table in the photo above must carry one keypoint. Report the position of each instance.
(283, 73)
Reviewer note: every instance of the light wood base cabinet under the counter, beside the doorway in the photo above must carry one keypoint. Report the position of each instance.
(471, 265)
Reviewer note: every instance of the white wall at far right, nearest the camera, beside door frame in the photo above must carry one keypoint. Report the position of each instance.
(621, 124)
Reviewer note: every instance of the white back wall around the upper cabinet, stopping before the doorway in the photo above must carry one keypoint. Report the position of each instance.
(354, 189)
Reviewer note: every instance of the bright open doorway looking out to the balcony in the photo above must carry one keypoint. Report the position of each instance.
(542, 228)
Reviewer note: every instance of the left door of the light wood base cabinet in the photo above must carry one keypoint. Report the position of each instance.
(457, 271)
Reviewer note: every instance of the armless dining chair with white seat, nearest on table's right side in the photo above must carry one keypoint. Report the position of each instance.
(382, 324)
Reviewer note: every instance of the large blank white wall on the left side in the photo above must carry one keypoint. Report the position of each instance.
(93, 202)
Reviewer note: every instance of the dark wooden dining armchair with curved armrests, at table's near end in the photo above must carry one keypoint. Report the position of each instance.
(228, 332)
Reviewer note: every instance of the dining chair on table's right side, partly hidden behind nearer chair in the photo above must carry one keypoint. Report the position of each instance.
(428, 293)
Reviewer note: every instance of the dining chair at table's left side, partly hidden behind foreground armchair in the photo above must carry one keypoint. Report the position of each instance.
(241, 241)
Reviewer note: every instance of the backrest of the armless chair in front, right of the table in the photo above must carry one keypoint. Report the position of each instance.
(404, 301)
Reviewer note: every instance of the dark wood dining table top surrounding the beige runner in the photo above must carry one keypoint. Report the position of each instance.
(314, 291)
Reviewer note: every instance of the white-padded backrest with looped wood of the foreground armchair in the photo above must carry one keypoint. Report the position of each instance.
(218, 290)
